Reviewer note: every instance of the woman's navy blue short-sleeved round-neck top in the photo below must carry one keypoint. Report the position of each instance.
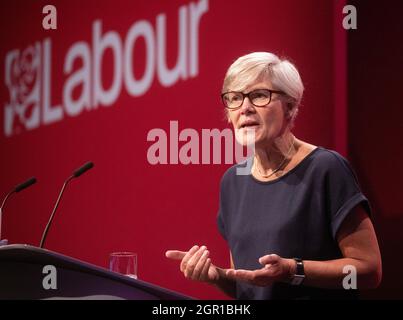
(296, 215)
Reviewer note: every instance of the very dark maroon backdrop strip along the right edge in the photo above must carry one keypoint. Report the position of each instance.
(375, 66)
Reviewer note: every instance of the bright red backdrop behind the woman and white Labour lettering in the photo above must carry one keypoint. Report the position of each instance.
(125, 203)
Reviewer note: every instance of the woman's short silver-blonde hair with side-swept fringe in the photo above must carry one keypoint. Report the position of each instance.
(282, 73)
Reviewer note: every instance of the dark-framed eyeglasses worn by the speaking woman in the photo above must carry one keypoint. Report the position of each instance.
(259, 98)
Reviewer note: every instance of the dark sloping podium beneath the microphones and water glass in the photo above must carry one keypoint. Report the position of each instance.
(23, 269)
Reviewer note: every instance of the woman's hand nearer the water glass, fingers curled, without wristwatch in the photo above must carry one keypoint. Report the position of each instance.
(195, 264)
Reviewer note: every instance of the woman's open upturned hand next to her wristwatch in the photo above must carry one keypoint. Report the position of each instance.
(275, 268)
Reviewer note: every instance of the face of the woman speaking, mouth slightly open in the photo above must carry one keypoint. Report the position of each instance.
(259, 125)
